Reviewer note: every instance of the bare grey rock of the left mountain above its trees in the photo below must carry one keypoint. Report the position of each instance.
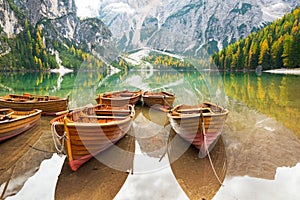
(59, 22)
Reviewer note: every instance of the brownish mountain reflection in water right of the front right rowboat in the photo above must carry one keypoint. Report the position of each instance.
(257, 144)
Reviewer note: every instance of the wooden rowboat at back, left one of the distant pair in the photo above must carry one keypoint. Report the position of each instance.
(119, 98)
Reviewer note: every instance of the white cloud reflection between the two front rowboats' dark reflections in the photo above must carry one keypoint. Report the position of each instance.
(154, 185)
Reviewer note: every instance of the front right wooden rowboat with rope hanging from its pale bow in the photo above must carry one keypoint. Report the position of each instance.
(201, 125)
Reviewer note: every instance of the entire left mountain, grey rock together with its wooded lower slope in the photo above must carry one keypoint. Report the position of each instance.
(36, 37)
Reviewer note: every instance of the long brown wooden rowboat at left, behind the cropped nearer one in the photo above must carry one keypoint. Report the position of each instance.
(48, 104)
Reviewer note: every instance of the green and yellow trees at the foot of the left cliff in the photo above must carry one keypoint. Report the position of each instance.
(28, 52)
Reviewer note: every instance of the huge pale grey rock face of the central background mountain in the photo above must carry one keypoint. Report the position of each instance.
(188, 26)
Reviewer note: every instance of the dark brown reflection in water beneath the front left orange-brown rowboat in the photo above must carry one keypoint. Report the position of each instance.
(99, 178)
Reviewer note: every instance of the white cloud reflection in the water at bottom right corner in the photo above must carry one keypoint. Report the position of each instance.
(284, 186)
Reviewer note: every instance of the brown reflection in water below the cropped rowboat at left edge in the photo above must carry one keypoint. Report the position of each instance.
(21, 157)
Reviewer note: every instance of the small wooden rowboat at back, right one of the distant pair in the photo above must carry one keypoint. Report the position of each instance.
(159, 100)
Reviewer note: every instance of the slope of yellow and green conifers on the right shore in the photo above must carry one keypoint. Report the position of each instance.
(275, 46)
